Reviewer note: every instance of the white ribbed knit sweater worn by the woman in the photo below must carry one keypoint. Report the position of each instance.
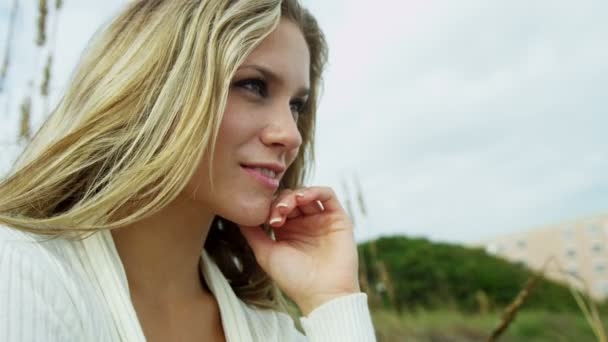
(61, 290)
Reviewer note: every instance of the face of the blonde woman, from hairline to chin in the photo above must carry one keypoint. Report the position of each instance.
(258, 129)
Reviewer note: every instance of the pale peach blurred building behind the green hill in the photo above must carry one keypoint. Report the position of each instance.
(579, 251)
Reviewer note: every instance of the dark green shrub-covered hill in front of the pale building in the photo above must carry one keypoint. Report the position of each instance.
(409, 274)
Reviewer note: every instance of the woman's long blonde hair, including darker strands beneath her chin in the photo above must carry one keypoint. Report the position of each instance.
(143, 108)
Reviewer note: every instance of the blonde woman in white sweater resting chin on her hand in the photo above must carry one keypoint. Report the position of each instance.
(169, 178)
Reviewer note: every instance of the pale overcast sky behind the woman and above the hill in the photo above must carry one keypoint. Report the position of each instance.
(462, 119)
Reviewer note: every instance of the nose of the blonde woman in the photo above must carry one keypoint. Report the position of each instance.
(282, 129)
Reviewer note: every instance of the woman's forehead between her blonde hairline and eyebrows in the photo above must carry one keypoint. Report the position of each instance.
(285, 53)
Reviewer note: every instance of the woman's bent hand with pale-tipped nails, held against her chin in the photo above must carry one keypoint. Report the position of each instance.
(314, 258)
